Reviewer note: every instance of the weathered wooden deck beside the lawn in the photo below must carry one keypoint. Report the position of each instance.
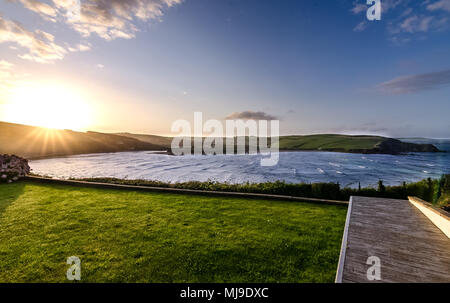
(409, 246)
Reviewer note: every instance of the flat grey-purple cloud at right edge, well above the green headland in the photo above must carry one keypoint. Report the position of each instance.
(416, 83)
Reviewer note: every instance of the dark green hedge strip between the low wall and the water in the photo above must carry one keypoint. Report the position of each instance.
(436, 191)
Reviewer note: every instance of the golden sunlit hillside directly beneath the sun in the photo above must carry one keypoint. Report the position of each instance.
(35, 142)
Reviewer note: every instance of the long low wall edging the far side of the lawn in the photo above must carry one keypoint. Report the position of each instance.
(181, 191)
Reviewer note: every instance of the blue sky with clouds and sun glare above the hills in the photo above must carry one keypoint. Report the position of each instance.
(140, 65)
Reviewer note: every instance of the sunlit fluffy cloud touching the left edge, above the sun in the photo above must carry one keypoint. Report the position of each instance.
(40, 45)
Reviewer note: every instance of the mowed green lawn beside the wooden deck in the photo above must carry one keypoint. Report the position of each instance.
(126, 236)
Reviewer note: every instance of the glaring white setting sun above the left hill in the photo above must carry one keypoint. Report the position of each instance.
(50, 105)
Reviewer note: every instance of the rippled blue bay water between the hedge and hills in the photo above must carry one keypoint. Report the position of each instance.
(293, 167)
